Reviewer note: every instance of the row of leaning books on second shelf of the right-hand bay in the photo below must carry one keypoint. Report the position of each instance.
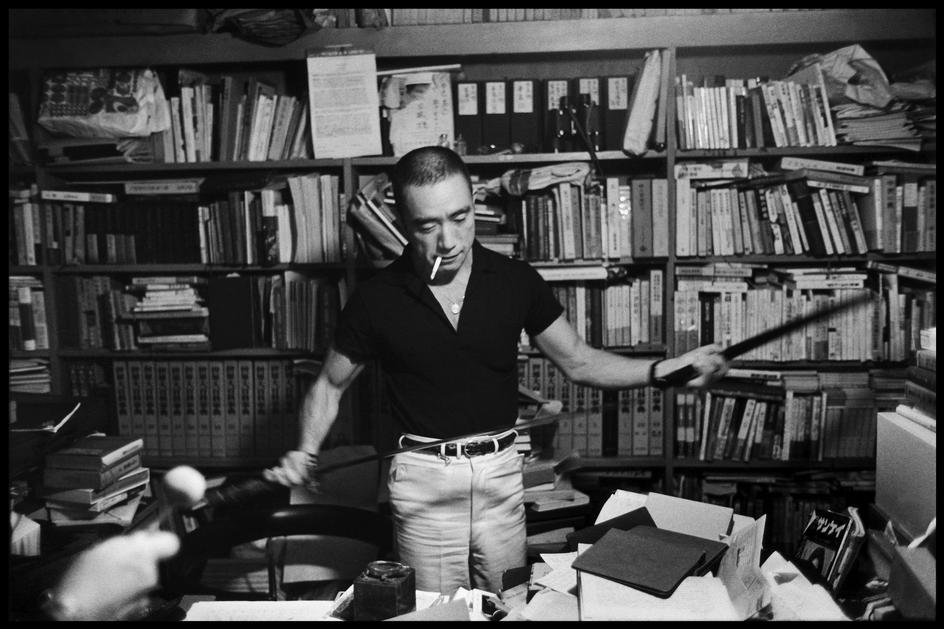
(811, 207)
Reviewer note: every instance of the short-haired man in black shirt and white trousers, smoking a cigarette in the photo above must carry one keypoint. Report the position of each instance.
(444, 321)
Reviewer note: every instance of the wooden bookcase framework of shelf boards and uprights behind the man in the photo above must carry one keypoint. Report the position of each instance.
(734, 44)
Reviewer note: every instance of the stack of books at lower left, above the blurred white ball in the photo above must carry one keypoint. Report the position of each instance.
(98, 478)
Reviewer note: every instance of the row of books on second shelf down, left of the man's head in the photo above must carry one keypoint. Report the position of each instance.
(258, 226)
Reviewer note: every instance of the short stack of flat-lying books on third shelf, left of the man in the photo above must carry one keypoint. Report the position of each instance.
(170, 312)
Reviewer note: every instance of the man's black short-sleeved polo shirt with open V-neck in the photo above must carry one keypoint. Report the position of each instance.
(446, 382)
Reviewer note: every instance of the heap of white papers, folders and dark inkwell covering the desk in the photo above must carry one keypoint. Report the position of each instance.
(647, 557)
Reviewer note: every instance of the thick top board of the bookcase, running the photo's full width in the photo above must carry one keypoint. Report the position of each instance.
(547, 38)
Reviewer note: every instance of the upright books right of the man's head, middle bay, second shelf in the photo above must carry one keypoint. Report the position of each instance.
(618, 218)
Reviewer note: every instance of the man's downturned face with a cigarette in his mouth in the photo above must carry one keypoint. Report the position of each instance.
(440, 221)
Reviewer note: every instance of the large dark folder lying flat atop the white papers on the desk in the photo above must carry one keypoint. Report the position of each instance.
(649, 559)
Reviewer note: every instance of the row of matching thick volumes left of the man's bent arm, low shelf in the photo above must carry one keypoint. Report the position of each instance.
(217, 409)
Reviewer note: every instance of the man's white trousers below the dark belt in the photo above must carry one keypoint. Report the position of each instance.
(459, 521)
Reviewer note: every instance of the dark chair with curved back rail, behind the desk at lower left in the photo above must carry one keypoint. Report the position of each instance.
(204, 564)
